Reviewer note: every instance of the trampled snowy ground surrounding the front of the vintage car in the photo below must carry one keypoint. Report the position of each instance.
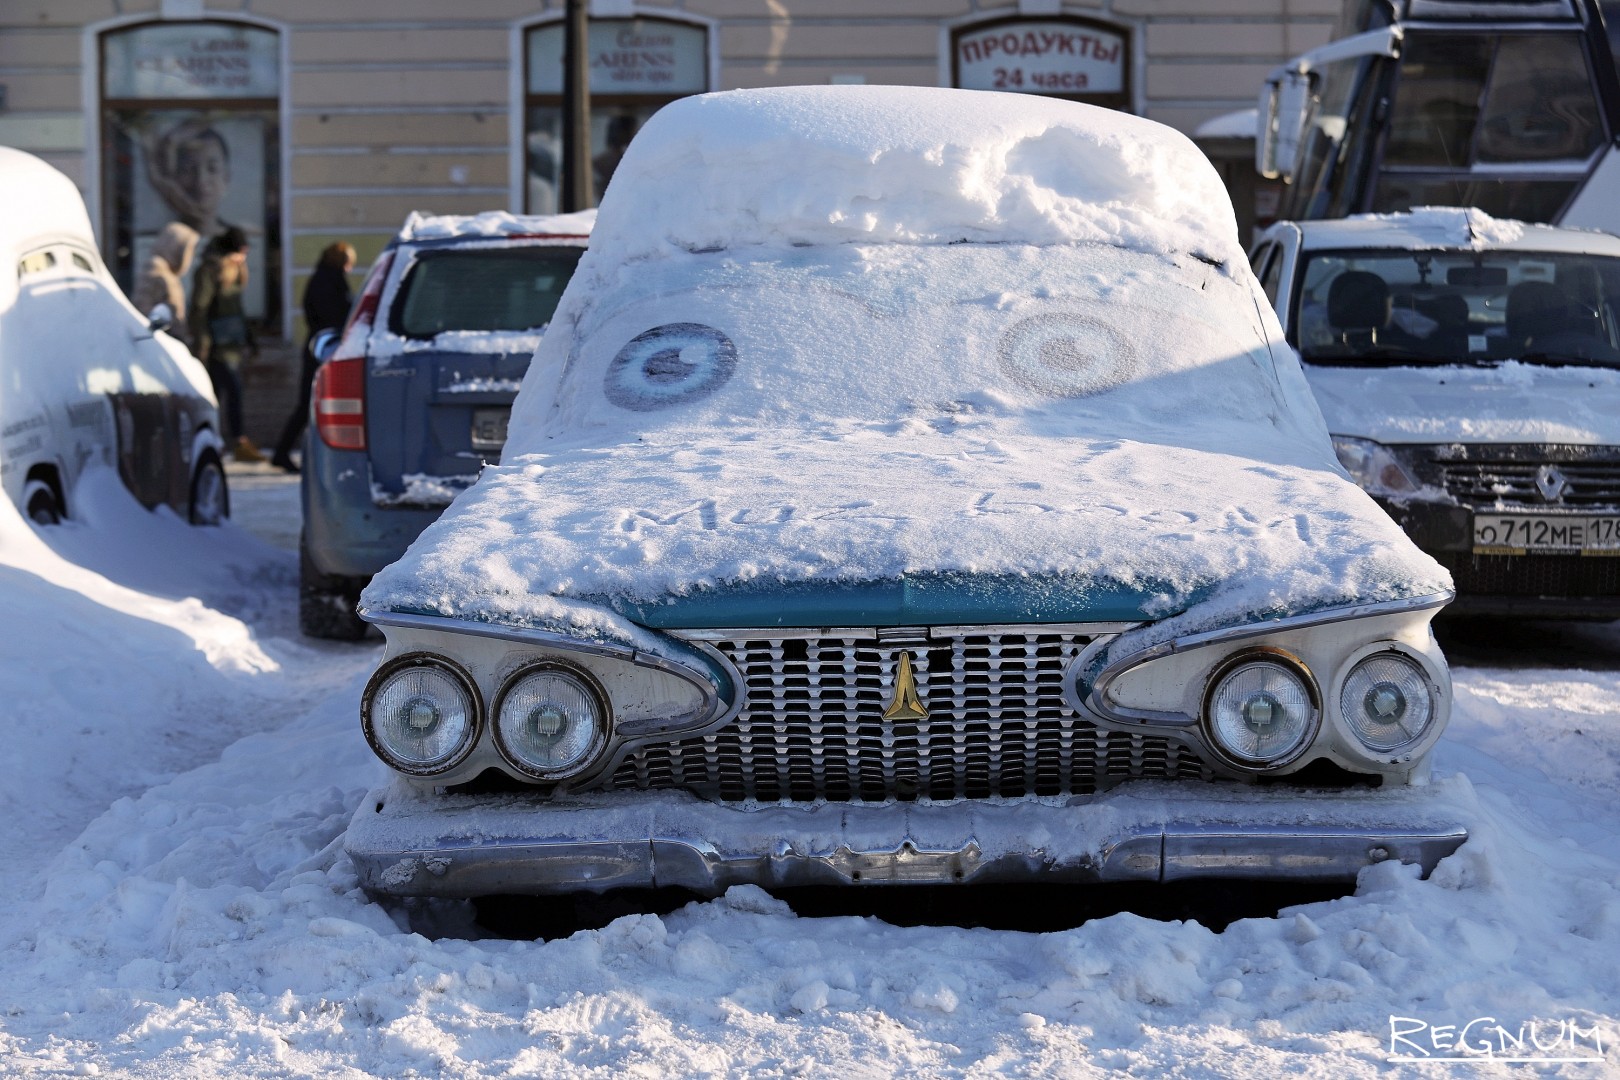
(184, 767)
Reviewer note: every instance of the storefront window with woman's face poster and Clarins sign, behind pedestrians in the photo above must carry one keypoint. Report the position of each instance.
(190, 142)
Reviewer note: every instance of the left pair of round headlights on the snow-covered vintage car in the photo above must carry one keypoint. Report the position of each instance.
(424, 716)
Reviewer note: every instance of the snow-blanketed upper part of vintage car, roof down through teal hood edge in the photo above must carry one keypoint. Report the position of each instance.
(893, 423)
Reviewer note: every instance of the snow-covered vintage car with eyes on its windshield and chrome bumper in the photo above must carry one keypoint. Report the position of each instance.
(913, 487)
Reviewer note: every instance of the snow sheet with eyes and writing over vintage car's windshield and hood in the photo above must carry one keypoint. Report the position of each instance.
(1086, 417)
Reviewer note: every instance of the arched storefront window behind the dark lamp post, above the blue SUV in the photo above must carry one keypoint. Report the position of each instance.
(636, 69)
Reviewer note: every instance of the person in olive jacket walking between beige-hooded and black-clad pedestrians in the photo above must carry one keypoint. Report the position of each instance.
(220, 331)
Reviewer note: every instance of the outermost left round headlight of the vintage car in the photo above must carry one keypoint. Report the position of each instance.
(420, 715)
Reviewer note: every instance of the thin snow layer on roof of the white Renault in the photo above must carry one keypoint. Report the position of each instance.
(1451, 227)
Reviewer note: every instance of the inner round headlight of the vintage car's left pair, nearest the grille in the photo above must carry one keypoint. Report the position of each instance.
(550, 723)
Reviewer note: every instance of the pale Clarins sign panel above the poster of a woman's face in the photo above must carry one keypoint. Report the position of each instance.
(192, 61)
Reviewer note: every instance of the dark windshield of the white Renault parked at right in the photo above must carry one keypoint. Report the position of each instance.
(1457, 307)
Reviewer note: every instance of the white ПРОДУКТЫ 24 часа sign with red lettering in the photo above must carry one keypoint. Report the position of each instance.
(1042, 57)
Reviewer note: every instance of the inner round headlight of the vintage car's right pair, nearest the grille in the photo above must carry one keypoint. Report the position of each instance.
(1261, 713)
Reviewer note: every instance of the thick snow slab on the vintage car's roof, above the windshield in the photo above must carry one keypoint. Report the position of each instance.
(903, 164)
